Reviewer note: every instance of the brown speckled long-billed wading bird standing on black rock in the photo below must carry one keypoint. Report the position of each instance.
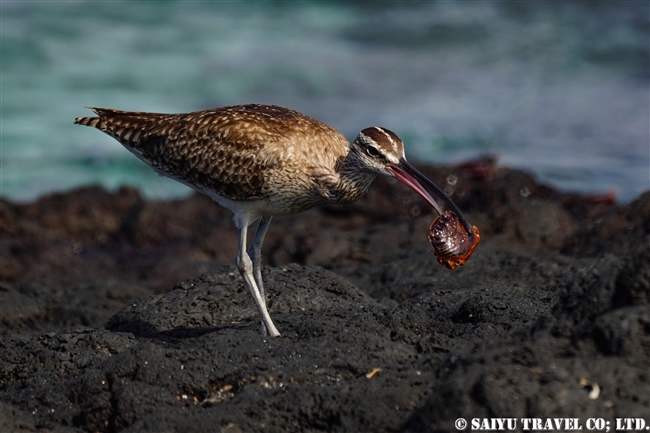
(260, 161)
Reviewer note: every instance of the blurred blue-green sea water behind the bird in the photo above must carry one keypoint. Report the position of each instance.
(558, 88)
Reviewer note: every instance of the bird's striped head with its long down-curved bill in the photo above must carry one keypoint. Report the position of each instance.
(380, 151)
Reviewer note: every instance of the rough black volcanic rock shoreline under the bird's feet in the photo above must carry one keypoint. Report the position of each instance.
(121, 314)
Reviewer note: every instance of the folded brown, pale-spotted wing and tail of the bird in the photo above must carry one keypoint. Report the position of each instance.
(228, 151)
